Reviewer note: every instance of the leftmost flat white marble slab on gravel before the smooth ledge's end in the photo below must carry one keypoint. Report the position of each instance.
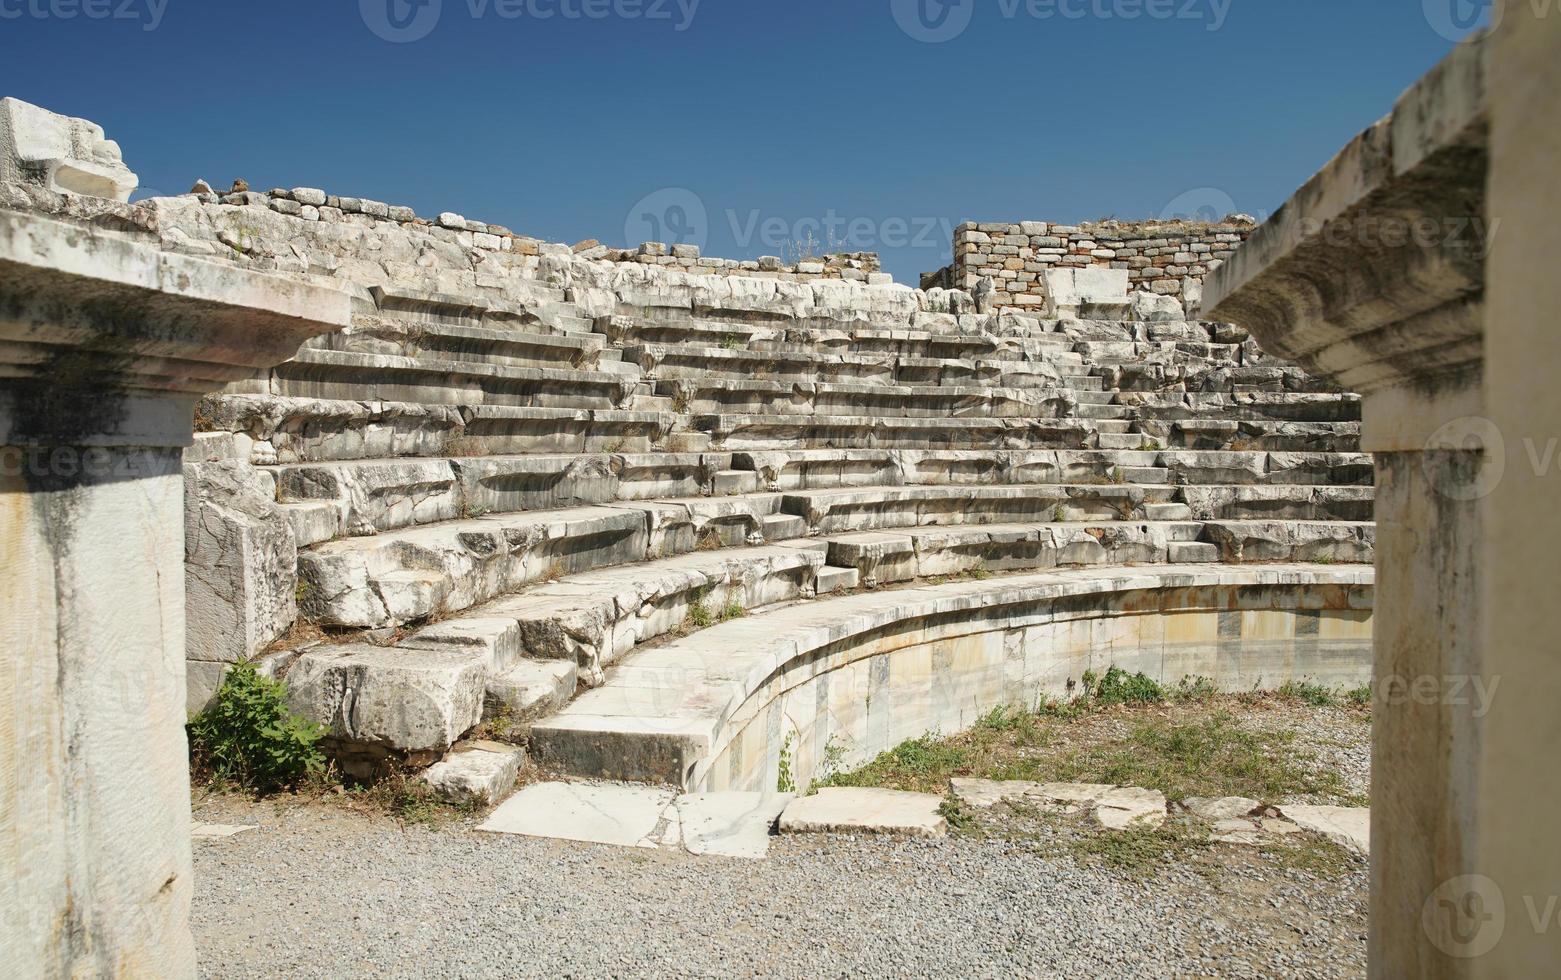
(594, 814)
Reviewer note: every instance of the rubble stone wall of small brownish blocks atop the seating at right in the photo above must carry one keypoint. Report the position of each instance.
(1167, 258)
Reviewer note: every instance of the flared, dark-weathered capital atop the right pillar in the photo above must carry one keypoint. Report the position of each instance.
(1373, 275)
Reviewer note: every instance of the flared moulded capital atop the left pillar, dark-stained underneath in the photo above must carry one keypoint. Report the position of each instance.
(108, 341)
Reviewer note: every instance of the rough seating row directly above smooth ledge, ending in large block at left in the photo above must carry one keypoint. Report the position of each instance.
(525, 653)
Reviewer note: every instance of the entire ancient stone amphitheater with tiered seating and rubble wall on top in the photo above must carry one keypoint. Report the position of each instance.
(689, 520)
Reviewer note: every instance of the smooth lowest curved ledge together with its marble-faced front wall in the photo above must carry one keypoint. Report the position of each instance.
(847, 680)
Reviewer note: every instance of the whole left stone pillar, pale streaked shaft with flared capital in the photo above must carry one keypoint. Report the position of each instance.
(105, 347)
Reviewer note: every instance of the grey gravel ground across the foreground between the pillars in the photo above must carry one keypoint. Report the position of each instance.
(319, 892)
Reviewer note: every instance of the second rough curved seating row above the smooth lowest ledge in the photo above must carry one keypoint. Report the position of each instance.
(408, 575)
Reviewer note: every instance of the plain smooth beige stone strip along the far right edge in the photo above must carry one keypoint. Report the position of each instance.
(1520, 794)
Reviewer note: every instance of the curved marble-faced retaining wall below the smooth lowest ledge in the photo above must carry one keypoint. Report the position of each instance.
(950, 662)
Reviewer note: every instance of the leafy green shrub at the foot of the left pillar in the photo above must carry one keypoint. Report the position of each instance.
(251, 737)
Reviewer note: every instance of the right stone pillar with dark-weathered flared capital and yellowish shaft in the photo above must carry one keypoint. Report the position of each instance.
(1374, 277)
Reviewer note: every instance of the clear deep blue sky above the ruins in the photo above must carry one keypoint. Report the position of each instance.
(898, 116)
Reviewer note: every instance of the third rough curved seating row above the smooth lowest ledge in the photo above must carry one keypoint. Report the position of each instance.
(366, 497)
